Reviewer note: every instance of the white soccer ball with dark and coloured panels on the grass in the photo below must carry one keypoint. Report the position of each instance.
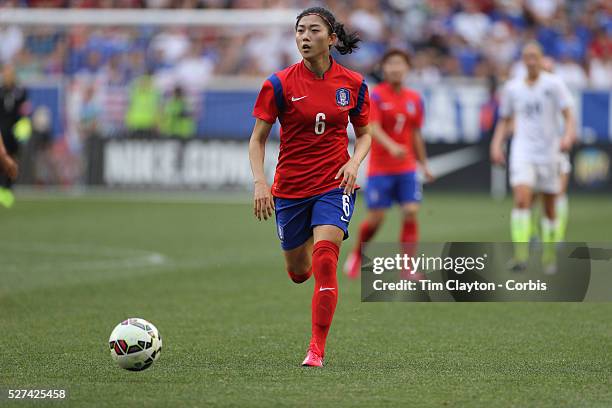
(135, 344)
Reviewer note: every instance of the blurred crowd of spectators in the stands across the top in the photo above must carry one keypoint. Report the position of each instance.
(473, 38)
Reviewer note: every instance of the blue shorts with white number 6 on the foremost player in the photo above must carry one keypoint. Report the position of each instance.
(295, 218)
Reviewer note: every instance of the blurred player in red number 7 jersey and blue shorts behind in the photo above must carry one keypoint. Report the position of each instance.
(396, 119)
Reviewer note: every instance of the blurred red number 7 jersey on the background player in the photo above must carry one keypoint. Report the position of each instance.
(398, 114)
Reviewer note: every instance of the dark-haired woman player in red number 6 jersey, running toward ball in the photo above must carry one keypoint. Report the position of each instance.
(313, 193)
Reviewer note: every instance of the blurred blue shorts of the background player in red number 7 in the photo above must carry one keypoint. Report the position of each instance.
(402, 188)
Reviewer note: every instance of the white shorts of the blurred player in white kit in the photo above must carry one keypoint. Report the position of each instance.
(542, 178)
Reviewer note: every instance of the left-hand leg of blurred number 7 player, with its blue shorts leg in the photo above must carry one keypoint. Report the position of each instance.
(378, 200)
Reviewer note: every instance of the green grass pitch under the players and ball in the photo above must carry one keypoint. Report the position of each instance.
(235, 328)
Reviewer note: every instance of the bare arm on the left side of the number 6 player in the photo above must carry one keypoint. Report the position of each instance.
(263, 202)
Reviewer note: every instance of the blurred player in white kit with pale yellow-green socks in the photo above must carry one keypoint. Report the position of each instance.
(533, 102)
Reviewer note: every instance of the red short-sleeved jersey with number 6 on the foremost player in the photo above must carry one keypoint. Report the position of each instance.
(313, 113)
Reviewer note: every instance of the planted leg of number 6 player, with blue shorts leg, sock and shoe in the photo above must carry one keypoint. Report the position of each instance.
(331, 214)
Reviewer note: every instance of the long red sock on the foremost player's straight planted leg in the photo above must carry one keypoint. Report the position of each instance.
(325, 297)
